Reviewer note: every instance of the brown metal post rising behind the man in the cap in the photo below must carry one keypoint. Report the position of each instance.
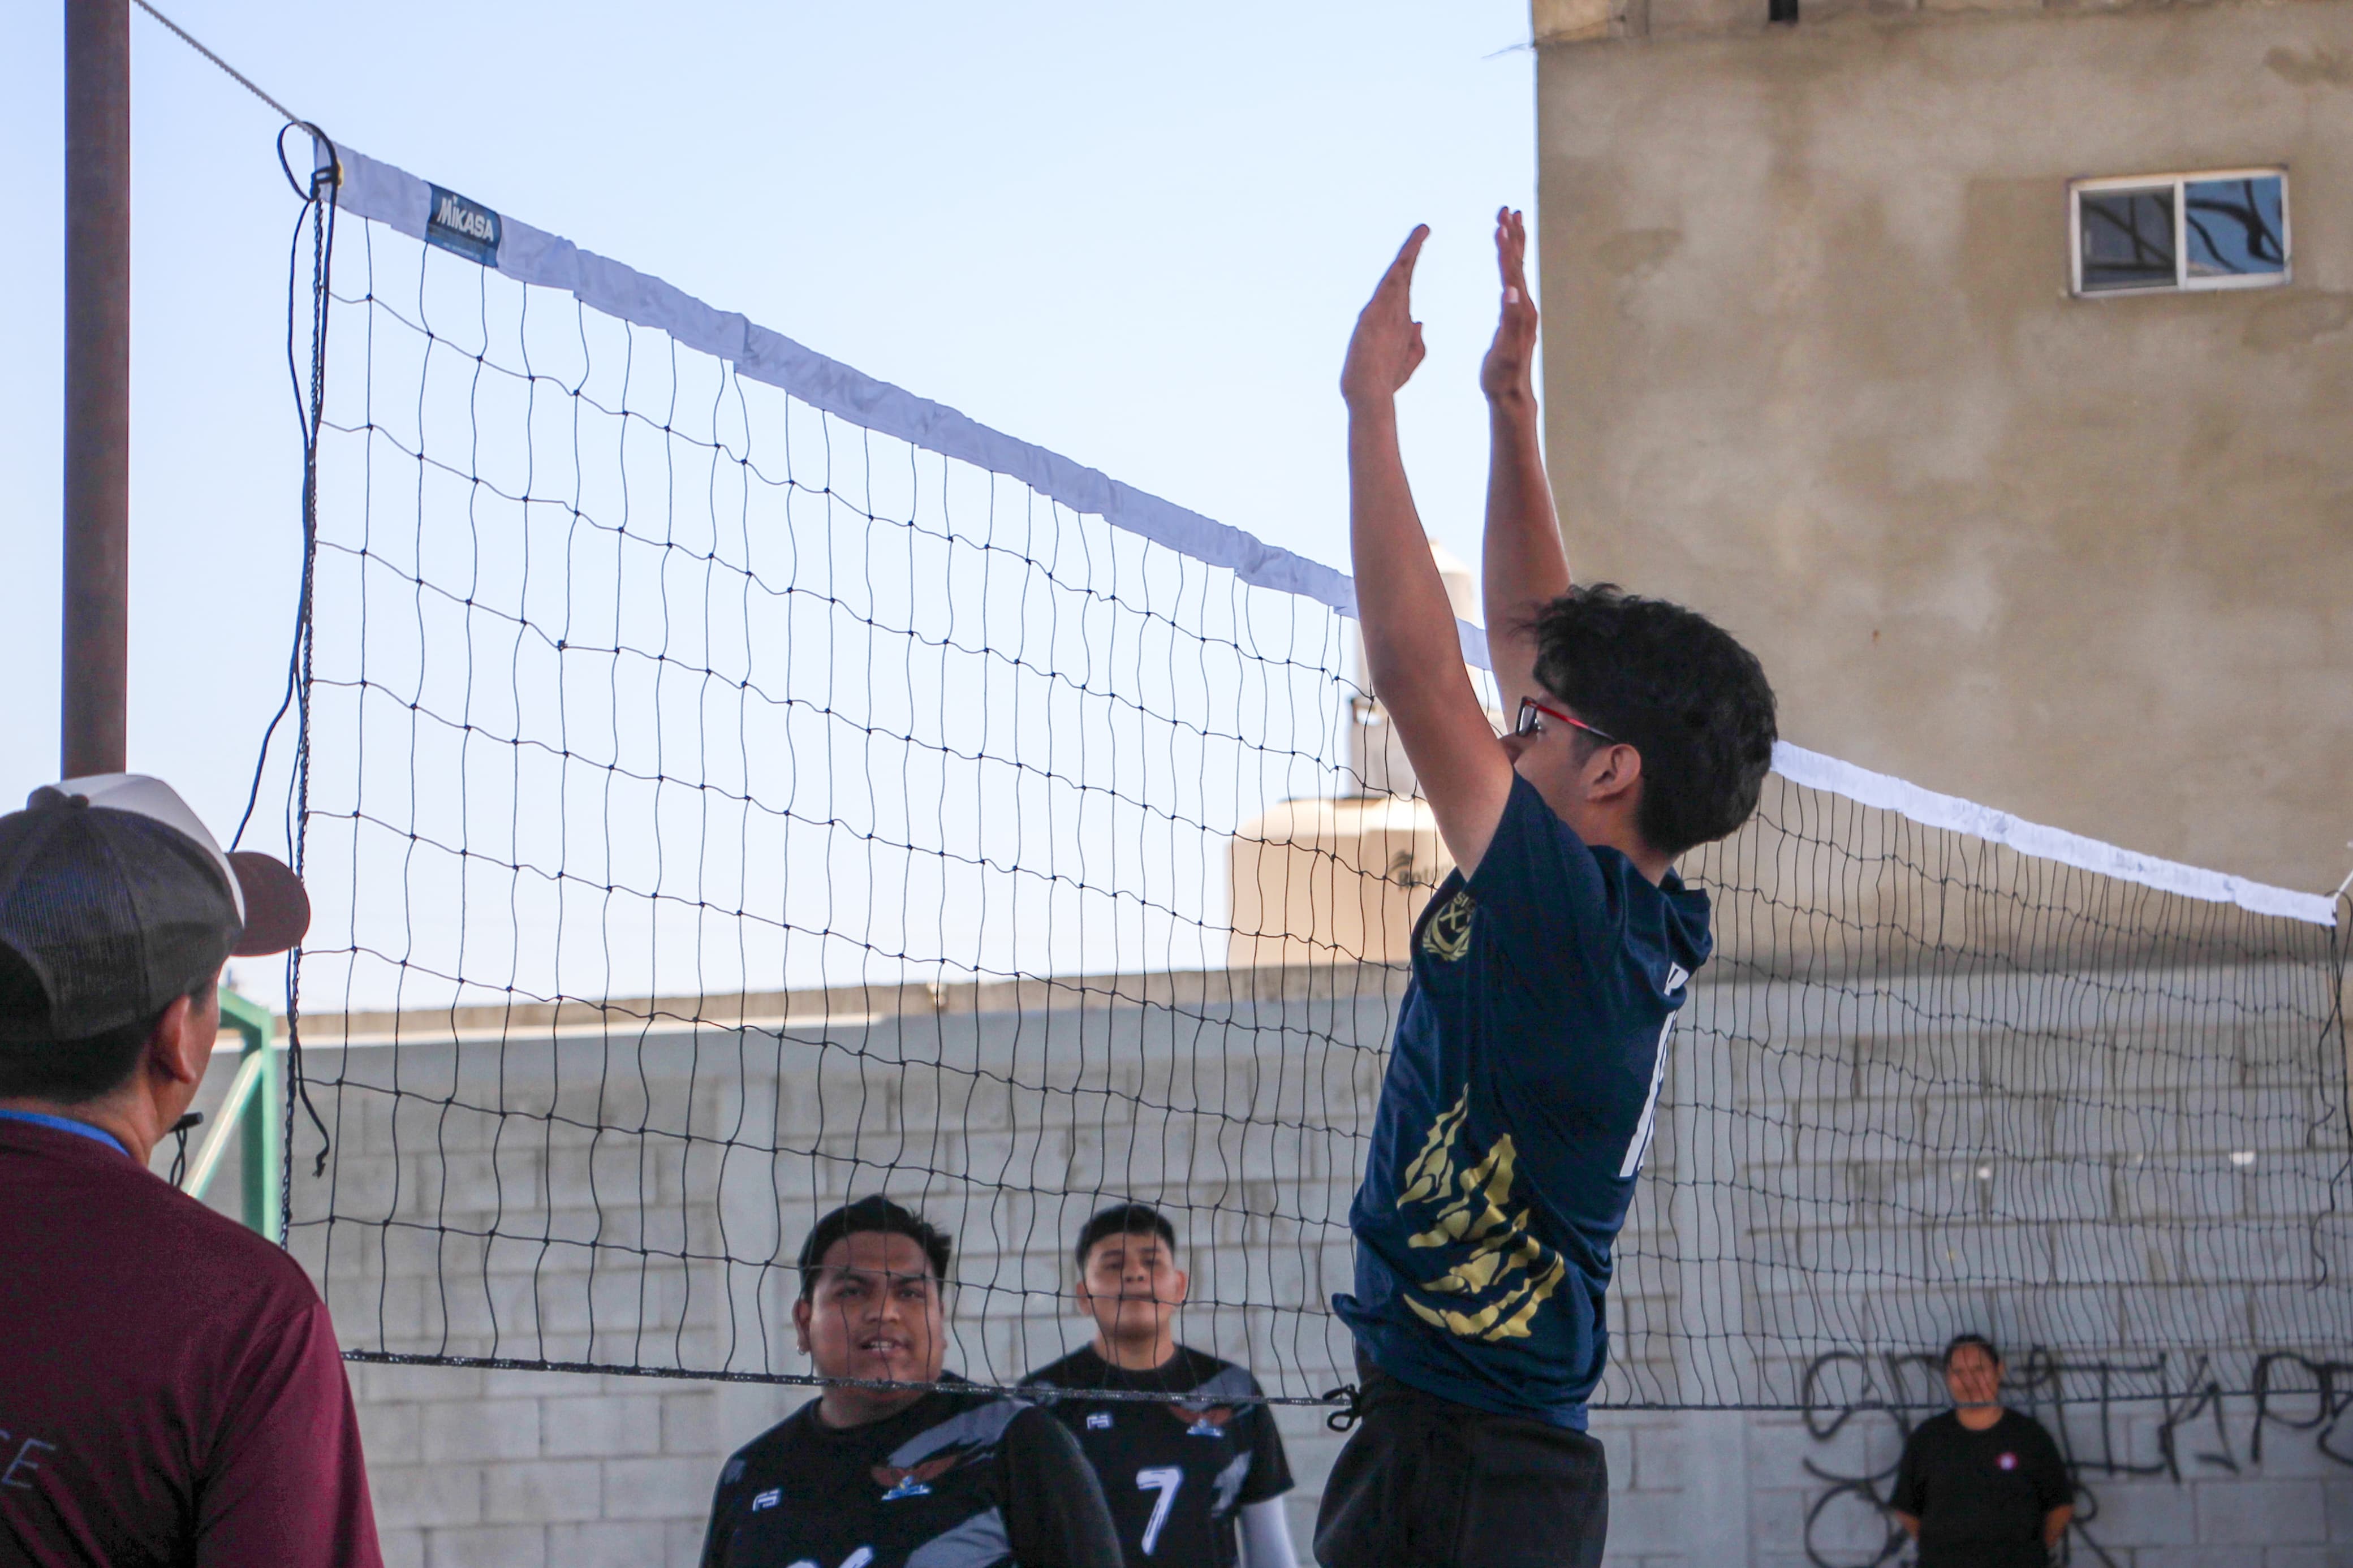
(95, 655)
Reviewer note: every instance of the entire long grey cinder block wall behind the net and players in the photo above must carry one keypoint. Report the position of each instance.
(1813, 1186)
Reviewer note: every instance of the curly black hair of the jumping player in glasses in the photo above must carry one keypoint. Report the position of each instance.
(1679, 690)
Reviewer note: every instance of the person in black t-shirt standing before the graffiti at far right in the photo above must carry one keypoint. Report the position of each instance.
(1982, 1487)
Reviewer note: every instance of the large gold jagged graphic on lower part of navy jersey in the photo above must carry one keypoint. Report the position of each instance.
(1509, 1275)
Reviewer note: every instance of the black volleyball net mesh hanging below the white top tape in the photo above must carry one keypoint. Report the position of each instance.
(719, 810)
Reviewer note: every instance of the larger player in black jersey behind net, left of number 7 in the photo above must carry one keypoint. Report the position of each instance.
(900, 1477)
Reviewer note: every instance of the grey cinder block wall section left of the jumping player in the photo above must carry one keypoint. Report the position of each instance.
(564, 1228)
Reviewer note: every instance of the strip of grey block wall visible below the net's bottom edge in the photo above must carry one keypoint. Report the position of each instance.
(554, 1470)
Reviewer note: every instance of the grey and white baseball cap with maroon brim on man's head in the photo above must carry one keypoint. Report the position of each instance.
(116, 902)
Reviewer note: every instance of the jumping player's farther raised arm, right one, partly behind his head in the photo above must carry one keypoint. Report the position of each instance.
(1524, 563)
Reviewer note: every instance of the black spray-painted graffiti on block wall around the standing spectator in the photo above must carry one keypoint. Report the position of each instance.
(2095, 1409)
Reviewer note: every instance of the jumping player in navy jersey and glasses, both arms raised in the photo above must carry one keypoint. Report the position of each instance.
(1549, 967)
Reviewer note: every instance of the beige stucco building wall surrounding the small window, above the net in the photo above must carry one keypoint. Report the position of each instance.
(1813, 368)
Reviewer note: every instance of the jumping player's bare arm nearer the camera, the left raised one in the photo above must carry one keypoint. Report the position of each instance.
(1411, 643)
